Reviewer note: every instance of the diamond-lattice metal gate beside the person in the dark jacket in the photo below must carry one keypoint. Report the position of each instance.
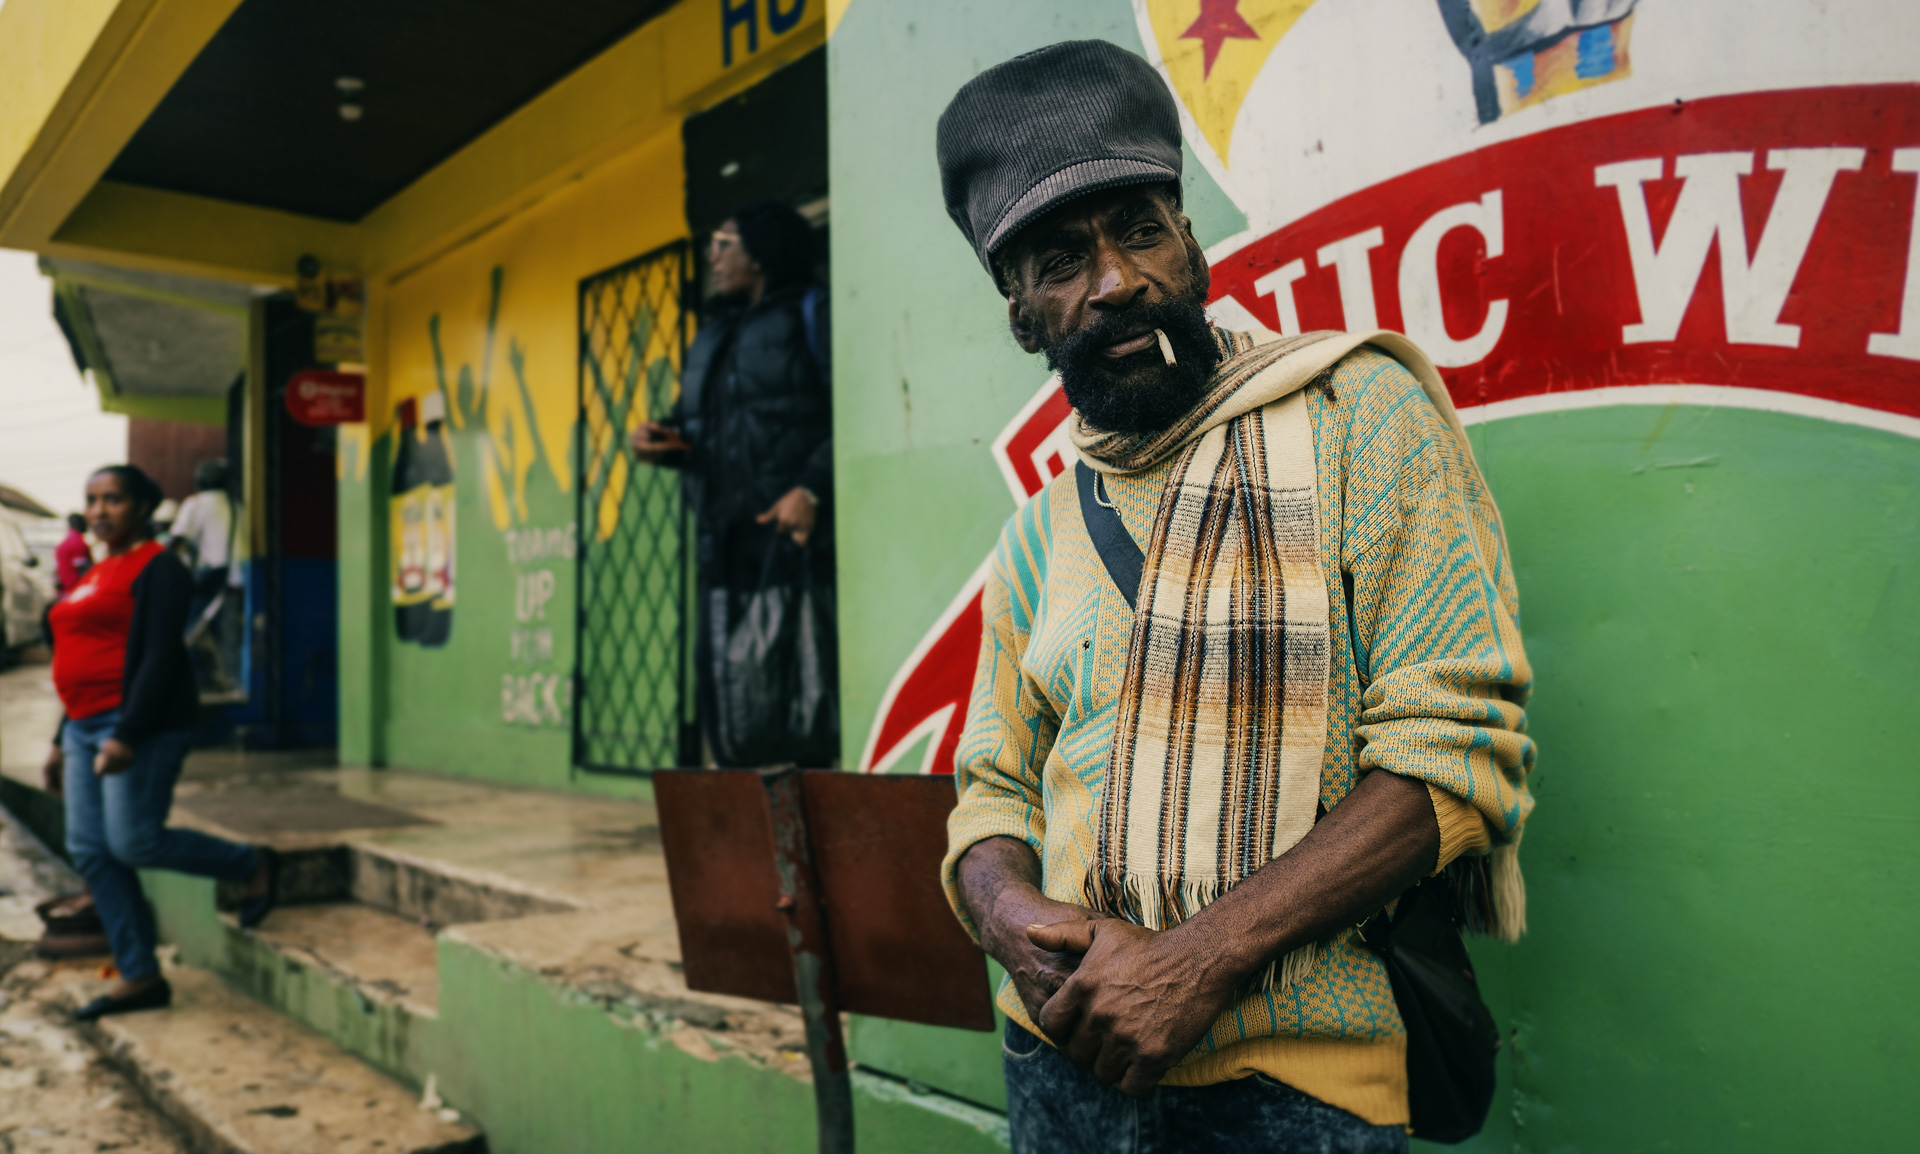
(635, 702)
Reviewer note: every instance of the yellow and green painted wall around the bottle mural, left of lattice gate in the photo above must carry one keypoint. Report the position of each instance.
(496, 698)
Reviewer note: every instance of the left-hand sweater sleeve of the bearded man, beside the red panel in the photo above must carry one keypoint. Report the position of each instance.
(1011, 727)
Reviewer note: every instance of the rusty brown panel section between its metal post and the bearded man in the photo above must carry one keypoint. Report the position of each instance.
(878, 846)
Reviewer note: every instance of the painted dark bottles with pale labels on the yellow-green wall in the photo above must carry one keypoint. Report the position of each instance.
(423, 546)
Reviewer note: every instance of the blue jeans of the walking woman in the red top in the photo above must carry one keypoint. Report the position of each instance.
(120, 825)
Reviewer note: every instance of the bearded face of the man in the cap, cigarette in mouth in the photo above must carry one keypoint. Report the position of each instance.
(1090, 285)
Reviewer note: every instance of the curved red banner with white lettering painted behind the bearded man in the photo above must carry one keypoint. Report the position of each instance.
(1758, 251)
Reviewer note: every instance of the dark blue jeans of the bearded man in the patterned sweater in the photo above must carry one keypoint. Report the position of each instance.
(1055, 1107)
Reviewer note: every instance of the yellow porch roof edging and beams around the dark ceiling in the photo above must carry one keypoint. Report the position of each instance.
(82, 78)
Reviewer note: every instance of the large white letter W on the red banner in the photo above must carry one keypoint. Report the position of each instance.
(1756, 291)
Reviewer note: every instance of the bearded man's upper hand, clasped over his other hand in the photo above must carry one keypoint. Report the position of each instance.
(1138, 1003)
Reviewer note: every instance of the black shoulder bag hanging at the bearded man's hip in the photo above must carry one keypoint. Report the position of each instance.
(1452, 1038)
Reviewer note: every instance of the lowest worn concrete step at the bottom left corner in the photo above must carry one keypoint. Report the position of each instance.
(245, 1080)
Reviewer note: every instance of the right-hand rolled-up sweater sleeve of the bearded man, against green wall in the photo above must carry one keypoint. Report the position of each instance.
(1435, 613)
